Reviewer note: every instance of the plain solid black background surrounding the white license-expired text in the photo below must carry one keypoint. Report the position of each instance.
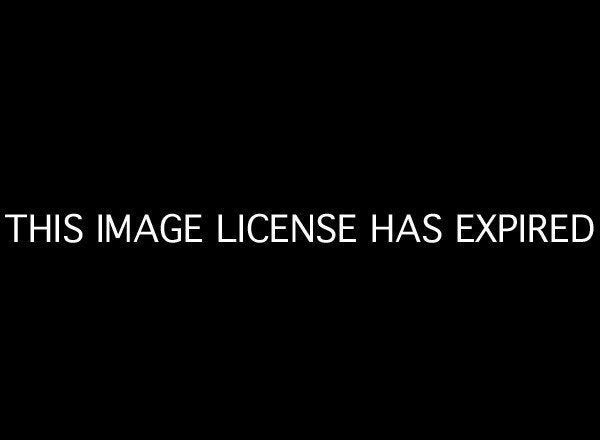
(368, 113)
